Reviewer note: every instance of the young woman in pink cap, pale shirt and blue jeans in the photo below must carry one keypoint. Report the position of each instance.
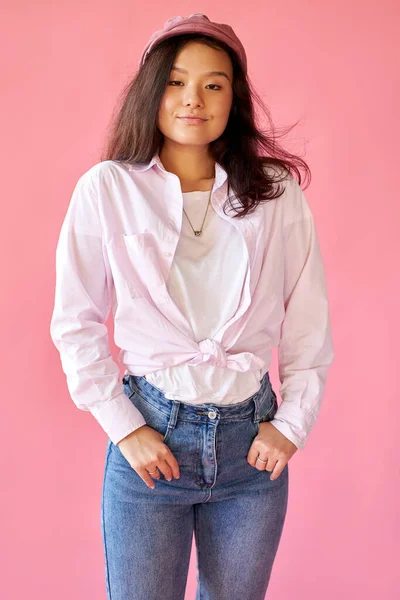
(203, 284)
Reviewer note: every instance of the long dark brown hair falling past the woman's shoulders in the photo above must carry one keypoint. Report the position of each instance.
(252, 157)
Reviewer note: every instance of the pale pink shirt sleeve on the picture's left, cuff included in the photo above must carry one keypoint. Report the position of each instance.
(82, 304)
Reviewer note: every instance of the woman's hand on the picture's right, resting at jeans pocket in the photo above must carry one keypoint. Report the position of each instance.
(270, 444)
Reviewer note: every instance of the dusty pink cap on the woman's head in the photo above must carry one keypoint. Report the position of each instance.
(197, 23)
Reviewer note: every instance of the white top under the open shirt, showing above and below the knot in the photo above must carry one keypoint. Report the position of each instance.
(206, 282)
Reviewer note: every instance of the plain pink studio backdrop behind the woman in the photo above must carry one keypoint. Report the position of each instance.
(334, 67)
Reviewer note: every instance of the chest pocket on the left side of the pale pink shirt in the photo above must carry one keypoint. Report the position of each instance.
(138, 265)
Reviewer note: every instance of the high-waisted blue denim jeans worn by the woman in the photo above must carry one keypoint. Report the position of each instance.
(234, 510)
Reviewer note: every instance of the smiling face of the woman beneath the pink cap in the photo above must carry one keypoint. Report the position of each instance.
(192, 90)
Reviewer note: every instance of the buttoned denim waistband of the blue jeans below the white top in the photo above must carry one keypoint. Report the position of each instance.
(260, 402)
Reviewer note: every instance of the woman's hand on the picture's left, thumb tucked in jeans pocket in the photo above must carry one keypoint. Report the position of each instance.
(145, 451)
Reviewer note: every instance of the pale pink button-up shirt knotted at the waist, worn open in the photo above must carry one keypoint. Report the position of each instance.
(115, 250)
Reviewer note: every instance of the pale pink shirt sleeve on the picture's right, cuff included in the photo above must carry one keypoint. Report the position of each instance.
(305, 351)
